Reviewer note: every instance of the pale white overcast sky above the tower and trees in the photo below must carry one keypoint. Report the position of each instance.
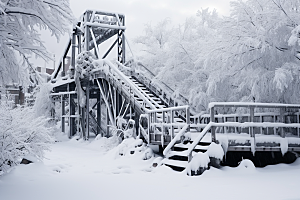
(137, 13)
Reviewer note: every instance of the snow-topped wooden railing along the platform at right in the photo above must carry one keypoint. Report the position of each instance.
(257, 118)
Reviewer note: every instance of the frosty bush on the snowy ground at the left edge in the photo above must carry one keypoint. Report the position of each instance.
(22, 134)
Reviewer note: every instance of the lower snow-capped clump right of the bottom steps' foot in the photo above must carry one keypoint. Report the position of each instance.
(198, 164)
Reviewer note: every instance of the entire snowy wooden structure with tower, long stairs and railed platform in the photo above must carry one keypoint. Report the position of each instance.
(97, 97)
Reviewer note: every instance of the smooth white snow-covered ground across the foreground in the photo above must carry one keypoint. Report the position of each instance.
(95, 170)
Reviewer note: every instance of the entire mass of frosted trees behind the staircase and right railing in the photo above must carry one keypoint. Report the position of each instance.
(250, 56)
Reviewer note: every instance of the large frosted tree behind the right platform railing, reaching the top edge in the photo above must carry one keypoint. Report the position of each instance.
(256, 56)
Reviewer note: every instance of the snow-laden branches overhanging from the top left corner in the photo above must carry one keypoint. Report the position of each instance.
(20, 22)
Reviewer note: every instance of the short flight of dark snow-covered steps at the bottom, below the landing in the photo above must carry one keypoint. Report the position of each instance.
(177, 158)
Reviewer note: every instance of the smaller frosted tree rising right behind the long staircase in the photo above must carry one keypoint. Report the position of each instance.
(180, 63)
